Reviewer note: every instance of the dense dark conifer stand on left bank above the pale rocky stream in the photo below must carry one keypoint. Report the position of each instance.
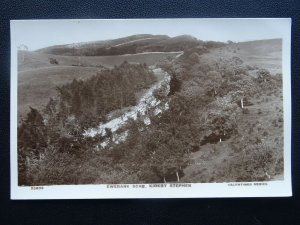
(91, 100)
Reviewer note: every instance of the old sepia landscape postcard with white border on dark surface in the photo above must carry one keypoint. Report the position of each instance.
(150, 108)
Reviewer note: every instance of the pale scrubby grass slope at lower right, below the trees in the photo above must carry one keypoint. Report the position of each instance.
(210, 164)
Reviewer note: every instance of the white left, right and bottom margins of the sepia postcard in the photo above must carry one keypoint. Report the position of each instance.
(196, 190)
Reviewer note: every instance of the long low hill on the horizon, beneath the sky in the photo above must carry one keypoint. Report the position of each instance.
(127, 45)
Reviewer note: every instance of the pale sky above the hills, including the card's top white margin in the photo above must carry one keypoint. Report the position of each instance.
(36, 34)
